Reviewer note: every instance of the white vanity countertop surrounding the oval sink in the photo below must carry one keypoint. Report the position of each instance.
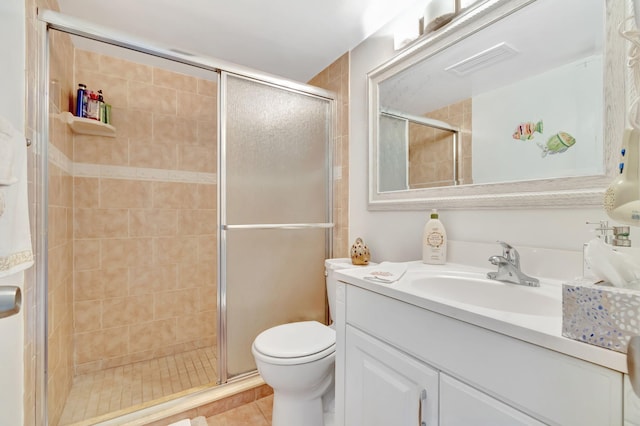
(541, 330)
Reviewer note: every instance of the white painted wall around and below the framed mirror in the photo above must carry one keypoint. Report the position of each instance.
(396, 235)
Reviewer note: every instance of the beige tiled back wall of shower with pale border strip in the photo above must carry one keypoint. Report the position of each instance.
(144, 216)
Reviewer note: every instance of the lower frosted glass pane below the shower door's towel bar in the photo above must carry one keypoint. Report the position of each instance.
(273, 277)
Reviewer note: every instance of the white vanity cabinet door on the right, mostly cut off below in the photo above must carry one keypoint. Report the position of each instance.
(462, 405)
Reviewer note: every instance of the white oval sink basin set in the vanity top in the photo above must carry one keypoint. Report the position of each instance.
(474, 289)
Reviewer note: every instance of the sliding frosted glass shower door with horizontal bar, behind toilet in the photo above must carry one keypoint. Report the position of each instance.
(275, 212)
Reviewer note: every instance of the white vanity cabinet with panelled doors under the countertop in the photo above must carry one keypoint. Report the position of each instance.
(472, 376)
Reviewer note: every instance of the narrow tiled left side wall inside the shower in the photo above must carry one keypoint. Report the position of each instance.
(60, 319)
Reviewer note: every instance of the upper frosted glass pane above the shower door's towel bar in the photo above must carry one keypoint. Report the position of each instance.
(276, 154)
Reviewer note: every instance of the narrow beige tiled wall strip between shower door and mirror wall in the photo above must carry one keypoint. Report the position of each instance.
(336, 78)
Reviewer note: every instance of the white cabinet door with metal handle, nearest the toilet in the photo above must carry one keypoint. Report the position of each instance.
(385, 386)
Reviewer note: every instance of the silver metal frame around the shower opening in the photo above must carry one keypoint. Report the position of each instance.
(51, 20)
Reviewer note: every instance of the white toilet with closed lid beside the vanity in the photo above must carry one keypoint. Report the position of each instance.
(297, 361)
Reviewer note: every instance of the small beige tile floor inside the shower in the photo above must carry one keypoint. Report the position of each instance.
(120, 388)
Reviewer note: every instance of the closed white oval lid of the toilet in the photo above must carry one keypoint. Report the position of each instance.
(295, 340)
